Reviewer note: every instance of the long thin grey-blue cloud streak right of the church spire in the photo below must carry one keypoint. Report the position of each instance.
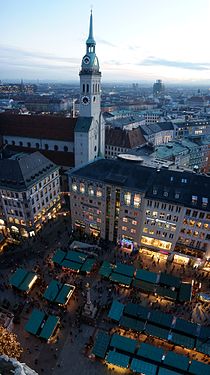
(150, 61)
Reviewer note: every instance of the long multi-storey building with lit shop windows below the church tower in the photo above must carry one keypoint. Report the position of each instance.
(142, 206)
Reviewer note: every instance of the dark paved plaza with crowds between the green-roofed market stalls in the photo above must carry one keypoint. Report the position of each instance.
(71, 349)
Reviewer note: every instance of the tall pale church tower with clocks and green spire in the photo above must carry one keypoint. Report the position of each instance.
(89, 136)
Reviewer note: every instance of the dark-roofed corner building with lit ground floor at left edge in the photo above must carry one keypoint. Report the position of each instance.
(29, 193)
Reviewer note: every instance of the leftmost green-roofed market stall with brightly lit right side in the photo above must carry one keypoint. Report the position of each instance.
(23, 279)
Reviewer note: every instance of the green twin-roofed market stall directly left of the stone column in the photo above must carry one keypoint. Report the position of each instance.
(58, 292)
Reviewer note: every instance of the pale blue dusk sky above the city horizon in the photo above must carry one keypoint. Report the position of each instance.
(136, 40)
